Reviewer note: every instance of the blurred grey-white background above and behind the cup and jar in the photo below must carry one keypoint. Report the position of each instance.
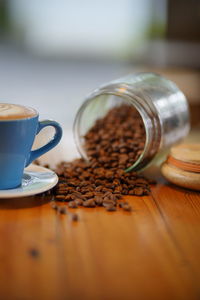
(54, 52)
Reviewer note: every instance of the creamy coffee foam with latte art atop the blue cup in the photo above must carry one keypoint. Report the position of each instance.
(15, 111)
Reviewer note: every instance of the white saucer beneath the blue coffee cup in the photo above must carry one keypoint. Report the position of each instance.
(35, 180)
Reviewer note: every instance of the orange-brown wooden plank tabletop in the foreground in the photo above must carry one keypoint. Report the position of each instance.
(151, 253)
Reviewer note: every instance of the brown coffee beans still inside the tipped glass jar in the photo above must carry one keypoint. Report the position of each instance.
(116, 140)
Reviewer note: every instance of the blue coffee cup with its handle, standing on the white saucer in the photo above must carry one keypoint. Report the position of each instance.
(16, 140)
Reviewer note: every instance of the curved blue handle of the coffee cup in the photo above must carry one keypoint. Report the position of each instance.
(34, 154)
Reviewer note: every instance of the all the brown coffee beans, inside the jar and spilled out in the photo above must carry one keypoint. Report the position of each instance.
(112, 144)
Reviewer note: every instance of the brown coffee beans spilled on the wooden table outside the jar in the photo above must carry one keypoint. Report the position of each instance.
(83, 184)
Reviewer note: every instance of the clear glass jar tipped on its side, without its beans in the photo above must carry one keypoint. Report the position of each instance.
(161, 105)
